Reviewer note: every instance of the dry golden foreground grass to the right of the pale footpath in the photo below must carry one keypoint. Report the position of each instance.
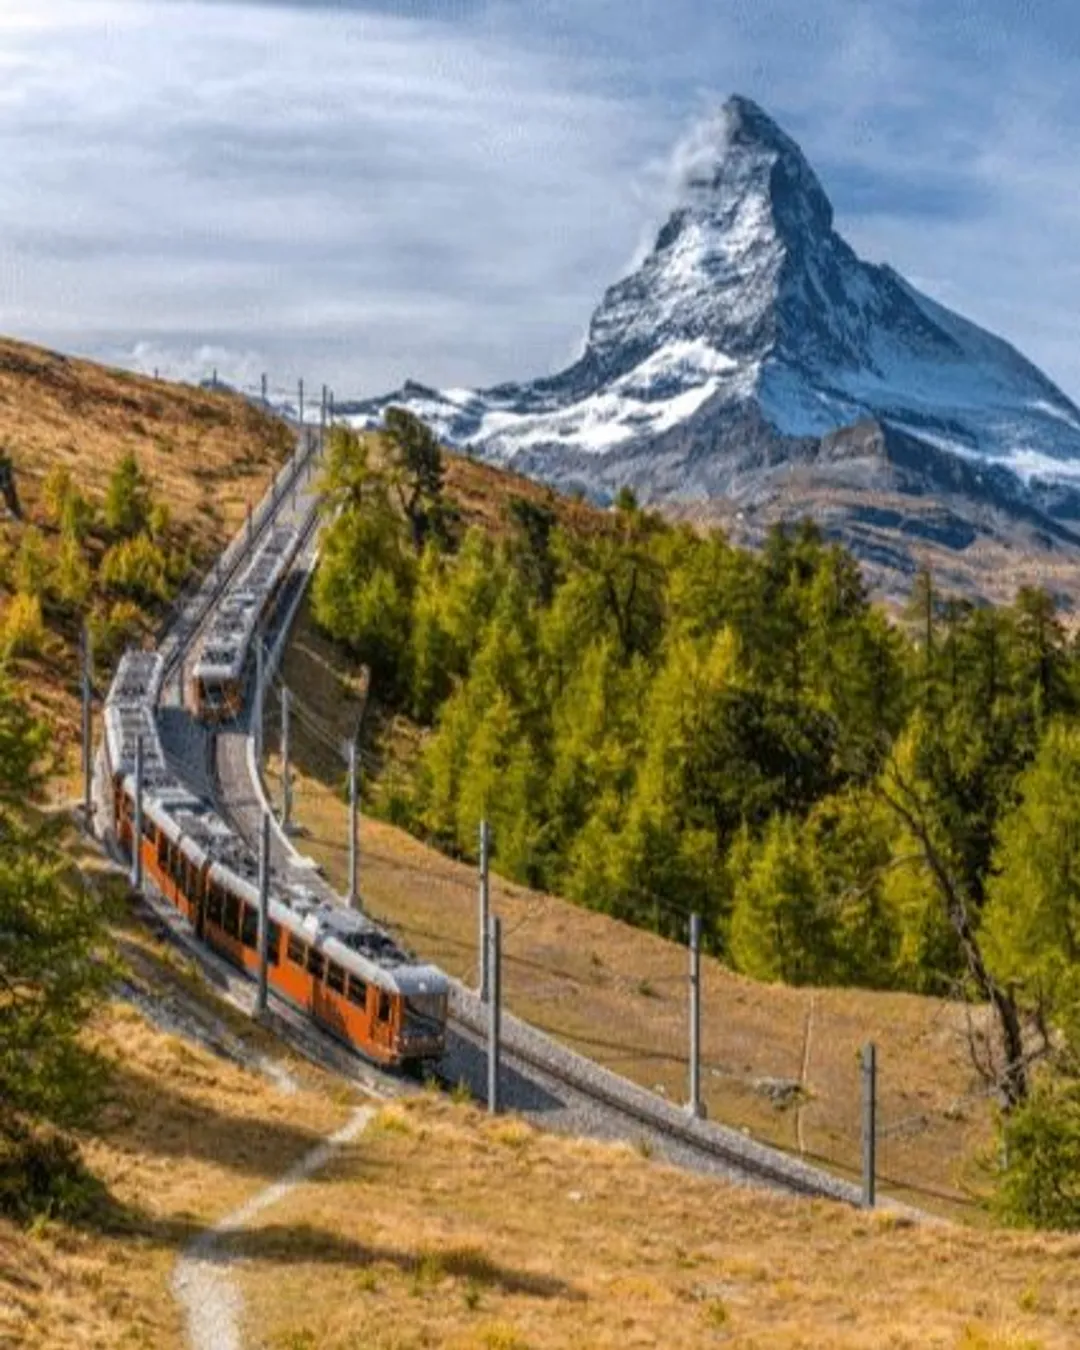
(456, 1232)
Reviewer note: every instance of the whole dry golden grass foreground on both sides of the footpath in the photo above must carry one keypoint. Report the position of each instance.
(441, 1228)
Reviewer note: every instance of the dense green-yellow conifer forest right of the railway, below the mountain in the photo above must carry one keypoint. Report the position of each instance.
(658, 723)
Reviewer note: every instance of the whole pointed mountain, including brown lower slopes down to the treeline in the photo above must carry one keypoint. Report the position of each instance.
(754, 369)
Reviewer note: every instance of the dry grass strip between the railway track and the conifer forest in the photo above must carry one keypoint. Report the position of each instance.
(619, 994)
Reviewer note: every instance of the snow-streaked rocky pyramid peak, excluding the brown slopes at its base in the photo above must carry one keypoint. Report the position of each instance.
(749, 335)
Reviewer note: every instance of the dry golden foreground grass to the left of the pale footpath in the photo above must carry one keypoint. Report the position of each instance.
(186, 1137)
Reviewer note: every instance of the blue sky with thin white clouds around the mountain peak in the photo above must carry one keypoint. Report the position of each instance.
(358, 192)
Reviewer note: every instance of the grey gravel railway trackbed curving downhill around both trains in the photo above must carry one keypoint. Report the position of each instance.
(542, 1079)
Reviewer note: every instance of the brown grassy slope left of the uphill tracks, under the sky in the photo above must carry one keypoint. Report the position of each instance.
(206, 456)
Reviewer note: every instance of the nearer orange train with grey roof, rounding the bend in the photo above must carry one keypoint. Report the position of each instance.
(334, 965)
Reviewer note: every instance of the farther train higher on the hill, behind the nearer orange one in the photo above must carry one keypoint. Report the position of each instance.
(217, 685)
